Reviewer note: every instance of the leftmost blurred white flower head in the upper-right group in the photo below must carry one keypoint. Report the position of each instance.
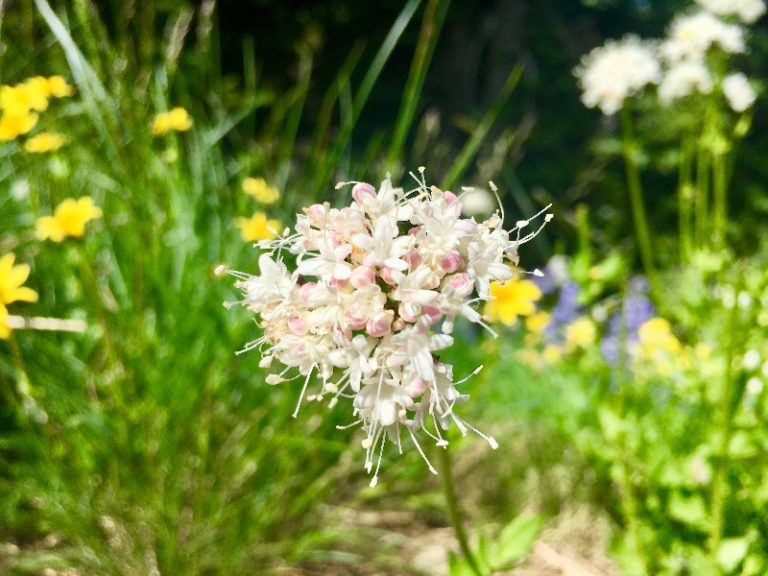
(611, 73)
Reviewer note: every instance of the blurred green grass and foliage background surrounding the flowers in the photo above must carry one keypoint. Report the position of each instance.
(144, 445)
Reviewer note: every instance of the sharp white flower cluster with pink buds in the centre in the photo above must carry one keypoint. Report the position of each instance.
(374, 294)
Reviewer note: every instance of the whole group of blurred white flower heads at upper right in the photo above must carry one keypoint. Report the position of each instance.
(679, 64)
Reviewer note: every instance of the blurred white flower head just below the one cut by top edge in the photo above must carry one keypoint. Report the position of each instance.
(691, 36)
